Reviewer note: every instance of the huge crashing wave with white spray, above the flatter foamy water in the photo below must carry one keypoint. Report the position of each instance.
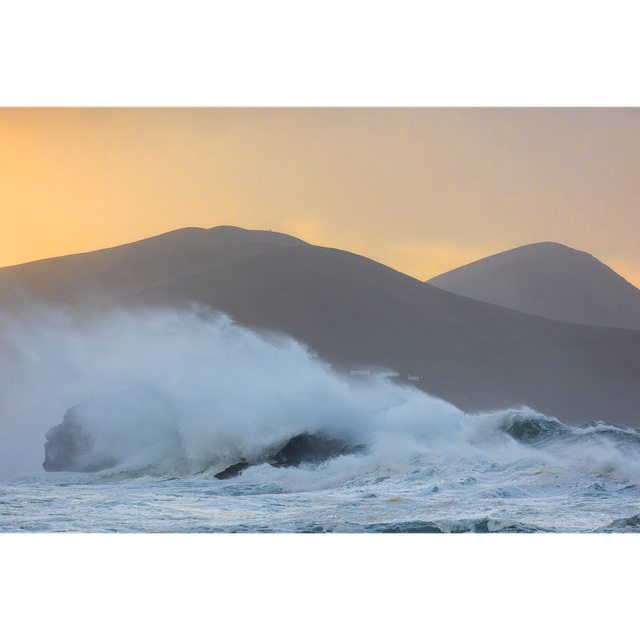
(189, 391)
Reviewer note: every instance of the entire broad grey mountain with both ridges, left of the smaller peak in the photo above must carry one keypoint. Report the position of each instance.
(357, 313)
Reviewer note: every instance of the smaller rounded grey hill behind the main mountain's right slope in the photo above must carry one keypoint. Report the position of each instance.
(550, 280)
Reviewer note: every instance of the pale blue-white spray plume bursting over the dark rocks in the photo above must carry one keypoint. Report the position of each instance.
(189, 388)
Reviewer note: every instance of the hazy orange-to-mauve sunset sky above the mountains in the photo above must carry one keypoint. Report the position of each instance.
(420, 189)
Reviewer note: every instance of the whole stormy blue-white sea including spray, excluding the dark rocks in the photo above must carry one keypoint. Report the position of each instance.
(167, 400)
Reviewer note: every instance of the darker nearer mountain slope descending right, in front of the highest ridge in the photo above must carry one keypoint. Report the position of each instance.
(358, 313)
